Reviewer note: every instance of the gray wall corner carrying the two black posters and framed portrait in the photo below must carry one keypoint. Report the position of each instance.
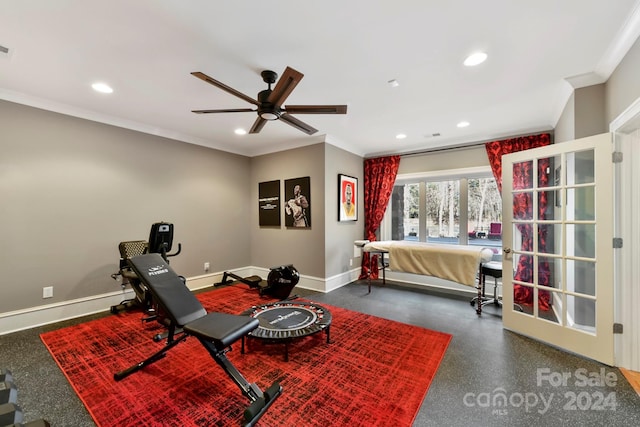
(325, 249)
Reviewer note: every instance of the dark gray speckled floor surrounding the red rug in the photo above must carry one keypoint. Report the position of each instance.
(488, 377)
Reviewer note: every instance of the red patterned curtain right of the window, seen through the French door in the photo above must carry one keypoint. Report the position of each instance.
(523, 209)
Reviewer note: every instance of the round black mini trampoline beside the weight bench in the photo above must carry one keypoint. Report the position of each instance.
(284, 321)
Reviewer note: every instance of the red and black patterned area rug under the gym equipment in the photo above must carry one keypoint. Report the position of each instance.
(376, 372)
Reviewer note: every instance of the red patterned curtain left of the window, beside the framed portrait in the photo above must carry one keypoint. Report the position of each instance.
(379, 177)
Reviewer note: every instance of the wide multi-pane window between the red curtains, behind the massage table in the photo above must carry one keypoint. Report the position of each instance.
(456, 207)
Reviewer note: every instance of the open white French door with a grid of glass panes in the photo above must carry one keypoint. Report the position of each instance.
(558, 244)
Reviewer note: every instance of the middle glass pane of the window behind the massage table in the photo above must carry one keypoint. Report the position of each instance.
(443, 211)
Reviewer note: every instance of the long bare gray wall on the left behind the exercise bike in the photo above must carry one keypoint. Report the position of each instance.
(72, 189)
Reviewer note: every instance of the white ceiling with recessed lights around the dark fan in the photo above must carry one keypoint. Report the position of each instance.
(347, 51)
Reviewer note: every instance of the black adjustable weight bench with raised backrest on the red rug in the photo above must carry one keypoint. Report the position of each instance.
(187, 317)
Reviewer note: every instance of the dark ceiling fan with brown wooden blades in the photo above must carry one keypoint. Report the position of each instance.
(269, 102)
